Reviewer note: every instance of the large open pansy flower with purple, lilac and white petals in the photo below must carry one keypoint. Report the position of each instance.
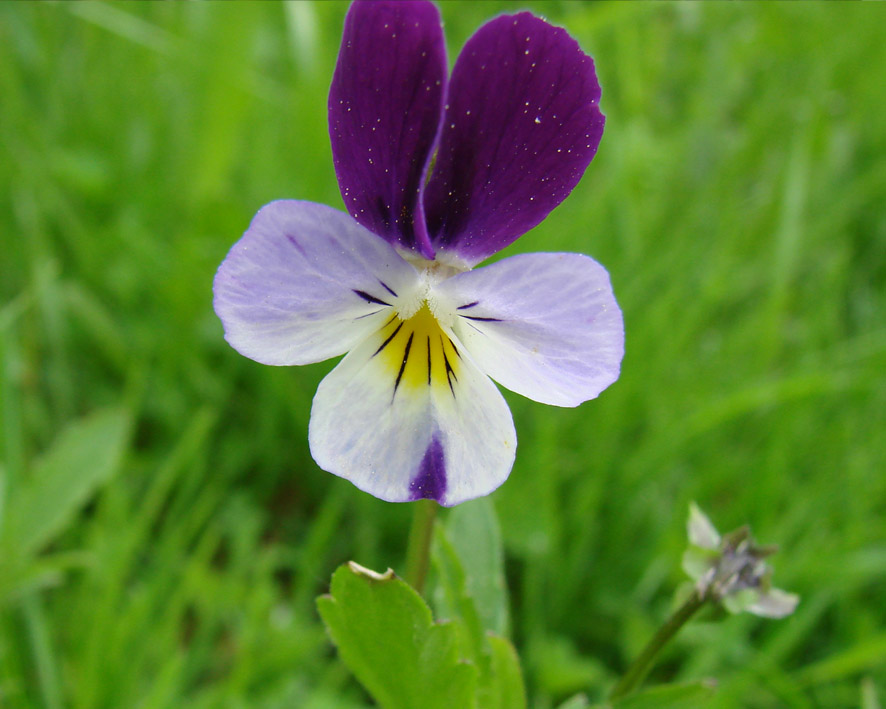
(437, 175)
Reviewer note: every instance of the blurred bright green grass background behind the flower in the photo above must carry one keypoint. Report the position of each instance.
(738, 202)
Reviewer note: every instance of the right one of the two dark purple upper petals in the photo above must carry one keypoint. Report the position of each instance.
(521, 126)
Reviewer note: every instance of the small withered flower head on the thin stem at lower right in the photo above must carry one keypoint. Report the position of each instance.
(731, 569)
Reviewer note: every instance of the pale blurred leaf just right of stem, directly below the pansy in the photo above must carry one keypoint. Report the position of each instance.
(472, 527)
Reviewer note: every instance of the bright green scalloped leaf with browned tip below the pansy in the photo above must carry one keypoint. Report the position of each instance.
(386, 636)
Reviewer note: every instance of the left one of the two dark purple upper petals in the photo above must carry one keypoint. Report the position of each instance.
(384, 109)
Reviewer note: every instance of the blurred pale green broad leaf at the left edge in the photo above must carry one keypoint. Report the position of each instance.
(83, 457)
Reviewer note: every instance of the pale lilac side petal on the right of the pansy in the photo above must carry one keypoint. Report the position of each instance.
(546, 326)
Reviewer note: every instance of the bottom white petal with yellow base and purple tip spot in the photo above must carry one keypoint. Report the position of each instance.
(405, 431)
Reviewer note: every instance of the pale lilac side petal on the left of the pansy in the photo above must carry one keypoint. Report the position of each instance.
(306, 283)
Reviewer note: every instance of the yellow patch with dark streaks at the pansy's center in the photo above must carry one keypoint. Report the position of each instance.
(418, 353)
